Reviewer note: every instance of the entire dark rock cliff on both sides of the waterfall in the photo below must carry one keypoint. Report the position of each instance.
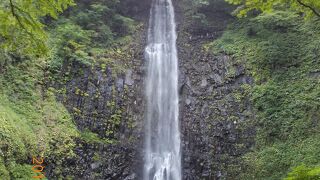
(215, 113)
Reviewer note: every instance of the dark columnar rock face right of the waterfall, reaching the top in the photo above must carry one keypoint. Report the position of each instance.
(215, 112)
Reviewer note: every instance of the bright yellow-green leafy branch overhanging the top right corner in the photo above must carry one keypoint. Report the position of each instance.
(309, 7)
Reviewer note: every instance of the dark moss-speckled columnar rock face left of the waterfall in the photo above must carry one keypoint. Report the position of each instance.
(106, 101)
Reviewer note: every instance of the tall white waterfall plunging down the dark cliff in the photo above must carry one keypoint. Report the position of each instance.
(162, 141)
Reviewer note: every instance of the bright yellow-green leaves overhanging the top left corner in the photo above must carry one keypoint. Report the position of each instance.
(21, 27)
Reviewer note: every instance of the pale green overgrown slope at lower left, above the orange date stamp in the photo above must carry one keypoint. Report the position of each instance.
(32, 122)
